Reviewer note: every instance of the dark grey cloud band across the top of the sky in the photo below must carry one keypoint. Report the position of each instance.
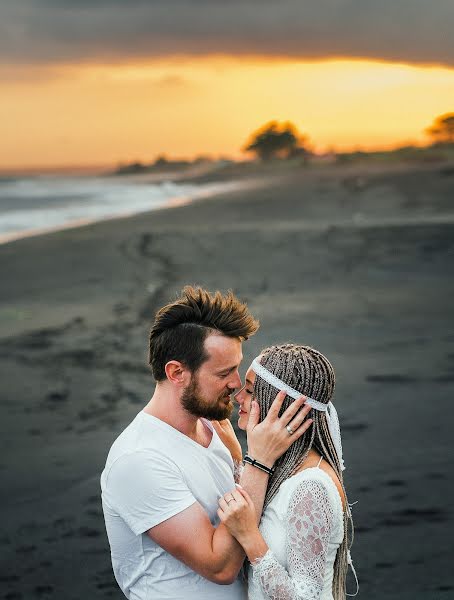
(61, 30)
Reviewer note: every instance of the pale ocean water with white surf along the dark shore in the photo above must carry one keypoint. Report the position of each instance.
(40, 204)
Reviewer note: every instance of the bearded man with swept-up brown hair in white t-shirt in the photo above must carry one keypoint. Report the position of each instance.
(167, 469)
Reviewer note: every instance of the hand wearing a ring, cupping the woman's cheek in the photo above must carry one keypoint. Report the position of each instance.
(268, 440)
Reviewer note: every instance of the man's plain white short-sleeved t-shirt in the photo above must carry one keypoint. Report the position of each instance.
(152, 473)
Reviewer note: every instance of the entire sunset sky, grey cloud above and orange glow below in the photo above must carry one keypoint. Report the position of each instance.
(106, 81)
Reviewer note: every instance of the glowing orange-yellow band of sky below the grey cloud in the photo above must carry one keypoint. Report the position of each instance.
(98, 114)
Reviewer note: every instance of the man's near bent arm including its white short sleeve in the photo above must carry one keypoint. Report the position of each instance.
(147, 490)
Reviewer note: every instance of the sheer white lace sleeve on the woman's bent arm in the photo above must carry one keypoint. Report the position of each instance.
(309, 523)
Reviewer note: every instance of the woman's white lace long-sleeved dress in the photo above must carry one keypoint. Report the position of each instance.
(303, 527)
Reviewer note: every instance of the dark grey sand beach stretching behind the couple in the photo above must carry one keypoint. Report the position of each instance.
(354, 260)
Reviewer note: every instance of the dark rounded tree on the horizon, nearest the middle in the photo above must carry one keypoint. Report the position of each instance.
(276, 140)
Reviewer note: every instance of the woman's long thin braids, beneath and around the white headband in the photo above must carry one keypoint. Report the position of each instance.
(311, 373)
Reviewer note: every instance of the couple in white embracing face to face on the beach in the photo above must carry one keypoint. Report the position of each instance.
(187, 516)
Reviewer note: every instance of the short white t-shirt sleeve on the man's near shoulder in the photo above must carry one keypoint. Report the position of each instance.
(145, 489)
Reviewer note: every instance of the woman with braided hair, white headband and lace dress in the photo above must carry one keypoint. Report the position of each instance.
(301, 550)
